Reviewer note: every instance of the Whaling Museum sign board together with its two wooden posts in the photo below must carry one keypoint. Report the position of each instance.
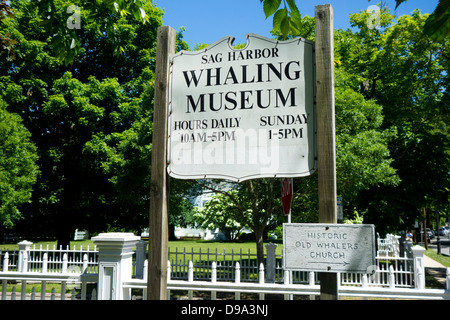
(298, 67)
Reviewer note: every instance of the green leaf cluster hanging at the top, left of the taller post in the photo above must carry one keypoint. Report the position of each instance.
(286, 20)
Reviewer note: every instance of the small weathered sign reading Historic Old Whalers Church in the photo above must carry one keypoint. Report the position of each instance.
(329, 247)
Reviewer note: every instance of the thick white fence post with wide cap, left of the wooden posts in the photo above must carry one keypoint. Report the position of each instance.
(115, 253)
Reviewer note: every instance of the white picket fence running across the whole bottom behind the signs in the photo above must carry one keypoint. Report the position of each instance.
(78, 272)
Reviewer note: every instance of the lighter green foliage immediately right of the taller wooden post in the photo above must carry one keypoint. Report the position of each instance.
(362, 153)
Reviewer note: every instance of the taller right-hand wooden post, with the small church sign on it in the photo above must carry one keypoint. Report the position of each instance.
(326, 133)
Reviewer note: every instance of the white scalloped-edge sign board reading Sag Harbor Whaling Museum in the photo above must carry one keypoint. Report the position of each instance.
(243, 114)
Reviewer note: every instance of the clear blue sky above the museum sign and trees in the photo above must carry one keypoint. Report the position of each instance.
(206, 21)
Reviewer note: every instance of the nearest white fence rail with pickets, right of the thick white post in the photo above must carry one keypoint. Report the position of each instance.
(365, 290)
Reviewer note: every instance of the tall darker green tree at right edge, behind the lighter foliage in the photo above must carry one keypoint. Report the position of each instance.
(406, 73)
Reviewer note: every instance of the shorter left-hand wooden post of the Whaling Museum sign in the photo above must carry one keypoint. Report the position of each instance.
(158, 228)
